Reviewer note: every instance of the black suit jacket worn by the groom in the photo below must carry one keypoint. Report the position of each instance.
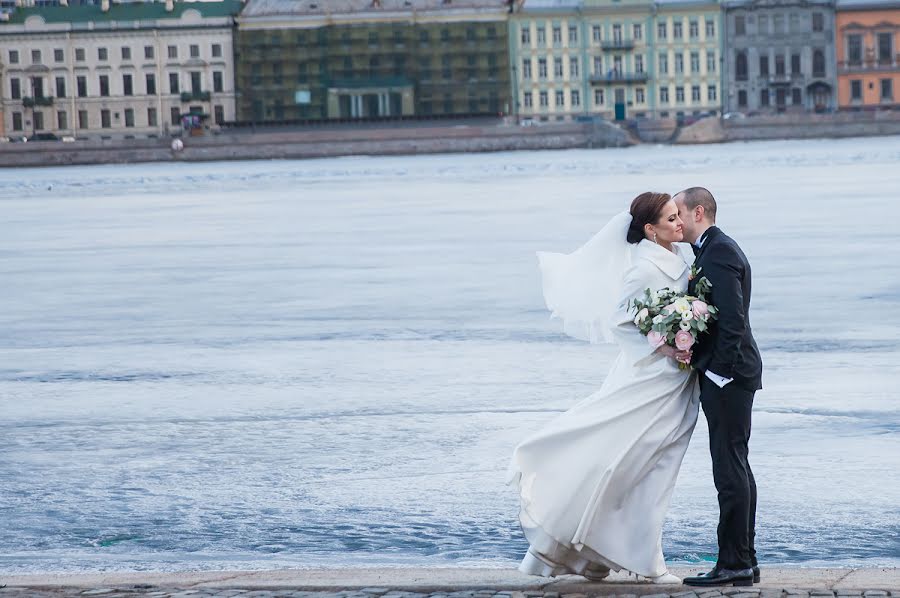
(728, 349)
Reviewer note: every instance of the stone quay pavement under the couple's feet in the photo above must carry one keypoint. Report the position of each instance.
(444, 583)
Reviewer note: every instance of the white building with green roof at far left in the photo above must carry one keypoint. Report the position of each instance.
(119, 70)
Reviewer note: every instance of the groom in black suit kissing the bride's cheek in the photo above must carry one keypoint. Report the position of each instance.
(731, 372)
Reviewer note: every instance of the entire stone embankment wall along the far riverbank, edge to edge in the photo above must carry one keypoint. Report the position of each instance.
(432, 138)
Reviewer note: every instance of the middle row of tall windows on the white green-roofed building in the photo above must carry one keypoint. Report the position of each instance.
(36, 85)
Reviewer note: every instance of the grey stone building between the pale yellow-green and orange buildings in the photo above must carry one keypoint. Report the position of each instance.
(781, 56)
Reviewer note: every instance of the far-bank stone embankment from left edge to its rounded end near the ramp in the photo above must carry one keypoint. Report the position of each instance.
(322, 143)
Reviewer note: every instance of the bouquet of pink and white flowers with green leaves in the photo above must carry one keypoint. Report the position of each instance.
(672, 318)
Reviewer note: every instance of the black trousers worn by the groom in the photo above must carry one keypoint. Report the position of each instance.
(728, 412)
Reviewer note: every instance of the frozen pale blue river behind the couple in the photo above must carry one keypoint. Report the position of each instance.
(325, 363)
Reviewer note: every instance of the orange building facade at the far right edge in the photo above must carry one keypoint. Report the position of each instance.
(868, 54)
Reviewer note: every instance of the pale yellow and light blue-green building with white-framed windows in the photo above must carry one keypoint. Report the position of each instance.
(616, 59)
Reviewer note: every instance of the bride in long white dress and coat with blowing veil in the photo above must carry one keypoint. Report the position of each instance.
(595, 482)
